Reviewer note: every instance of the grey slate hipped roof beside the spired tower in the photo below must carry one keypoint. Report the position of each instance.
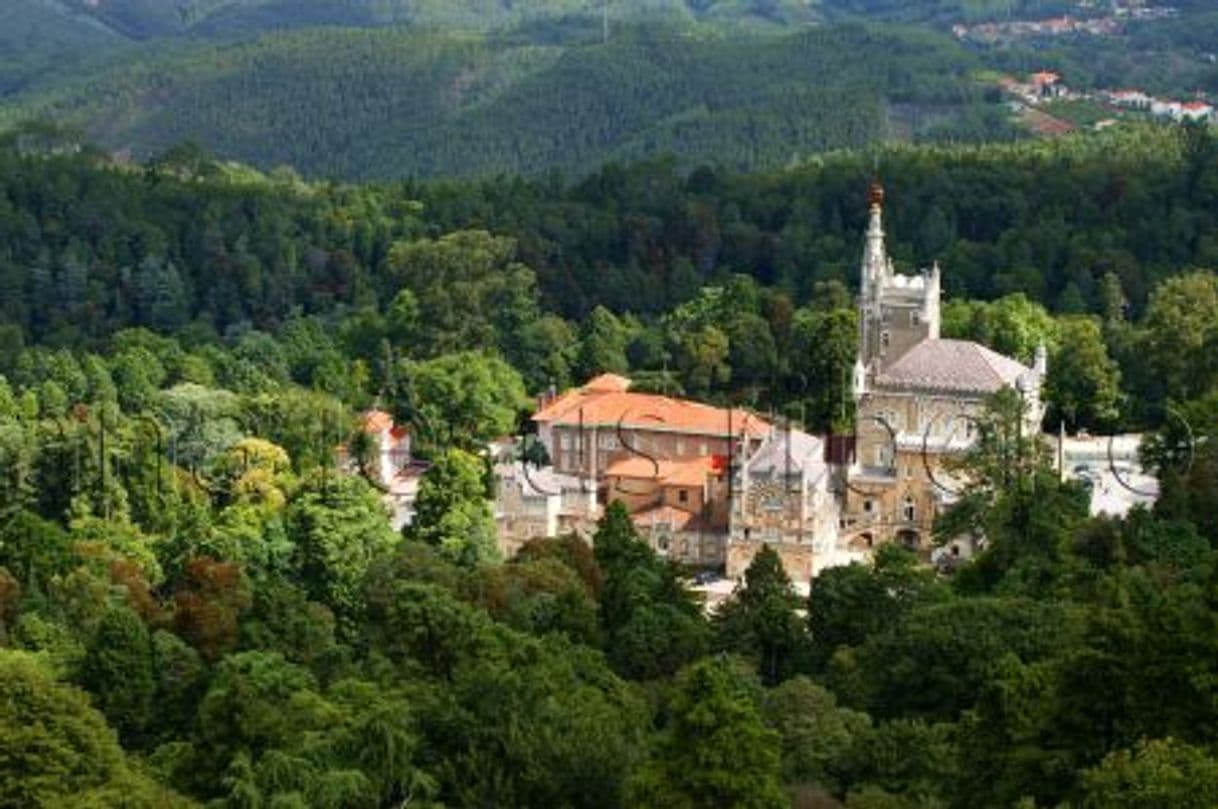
(958, 366)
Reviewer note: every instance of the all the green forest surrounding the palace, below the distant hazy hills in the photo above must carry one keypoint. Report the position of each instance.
(200, 606)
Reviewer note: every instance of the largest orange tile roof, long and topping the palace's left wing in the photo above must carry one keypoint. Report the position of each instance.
(647, 411)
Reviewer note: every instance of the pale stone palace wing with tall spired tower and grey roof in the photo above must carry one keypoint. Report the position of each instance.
(917, 395)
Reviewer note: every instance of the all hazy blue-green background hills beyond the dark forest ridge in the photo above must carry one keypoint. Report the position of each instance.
(359, 90)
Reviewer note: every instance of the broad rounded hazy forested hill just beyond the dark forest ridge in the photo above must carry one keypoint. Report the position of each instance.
(393, 104)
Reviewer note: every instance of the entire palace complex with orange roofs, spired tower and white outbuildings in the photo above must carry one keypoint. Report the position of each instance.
(709, 487)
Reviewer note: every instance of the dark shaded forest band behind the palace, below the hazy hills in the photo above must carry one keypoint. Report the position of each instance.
(1046, 220)
